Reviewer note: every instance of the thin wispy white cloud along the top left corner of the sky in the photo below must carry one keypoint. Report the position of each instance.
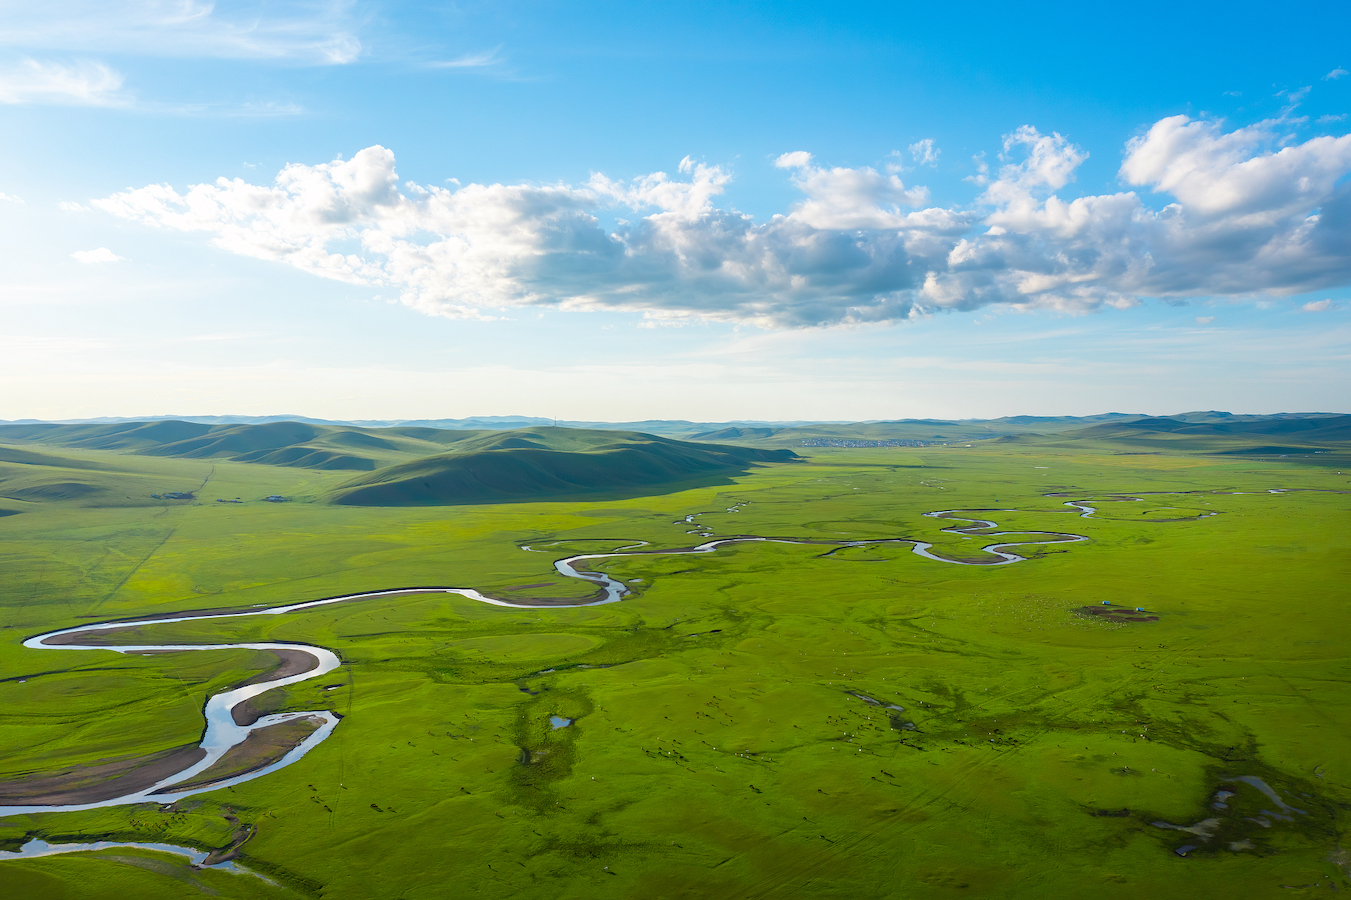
(306, 32)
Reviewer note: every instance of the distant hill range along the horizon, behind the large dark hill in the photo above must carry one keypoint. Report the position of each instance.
(337, 447)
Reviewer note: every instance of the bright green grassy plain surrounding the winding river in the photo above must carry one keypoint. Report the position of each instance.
(715, 751)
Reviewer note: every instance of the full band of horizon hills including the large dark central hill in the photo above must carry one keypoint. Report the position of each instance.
(419, 466)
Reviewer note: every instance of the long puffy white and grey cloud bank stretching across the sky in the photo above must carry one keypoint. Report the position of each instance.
(1238, 213)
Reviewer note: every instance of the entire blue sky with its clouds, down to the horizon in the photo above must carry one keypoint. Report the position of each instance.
(698, 211)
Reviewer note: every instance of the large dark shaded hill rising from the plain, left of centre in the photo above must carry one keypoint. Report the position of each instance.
(549, 463)
